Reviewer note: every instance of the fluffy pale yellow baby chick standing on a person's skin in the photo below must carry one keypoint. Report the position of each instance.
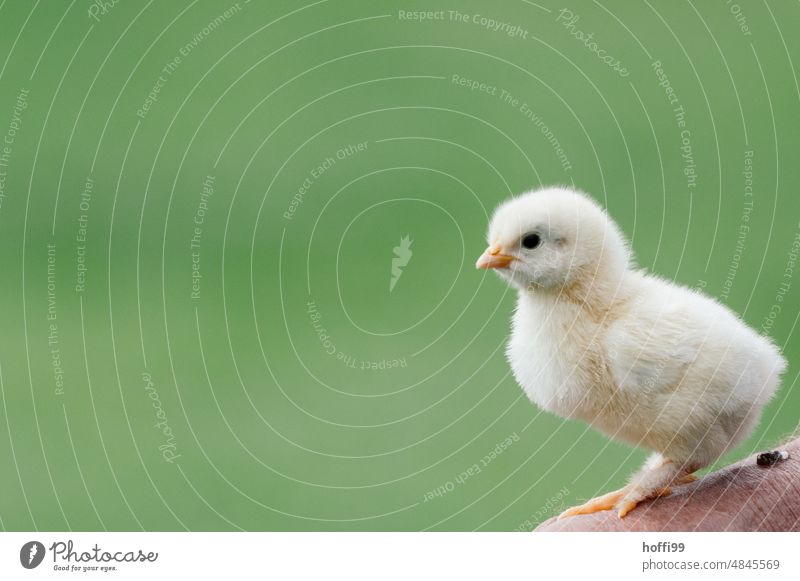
(639, 358)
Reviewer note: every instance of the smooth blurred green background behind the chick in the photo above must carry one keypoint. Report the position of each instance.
(198, 329)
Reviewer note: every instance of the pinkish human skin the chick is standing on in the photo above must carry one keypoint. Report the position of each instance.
(739, 497)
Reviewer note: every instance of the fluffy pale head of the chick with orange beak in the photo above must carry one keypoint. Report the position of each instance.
(554, 238)
